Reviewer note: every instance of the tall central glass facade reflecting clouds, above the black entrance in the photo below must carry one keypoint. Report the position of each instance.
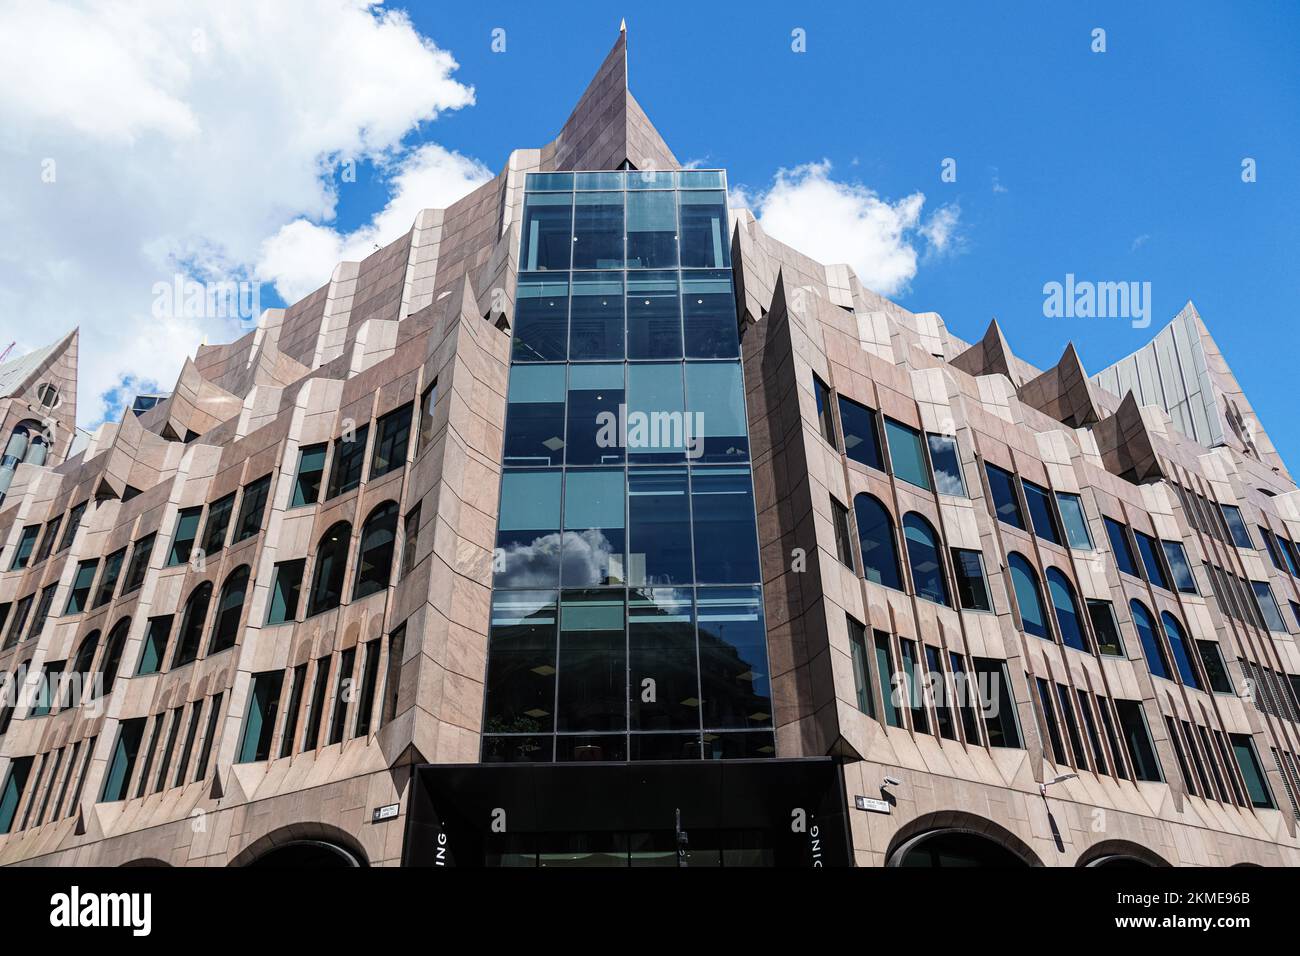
(627, 618)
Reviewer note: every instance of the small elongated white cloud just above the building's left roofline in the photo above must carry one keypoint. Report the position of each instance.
(301, 256)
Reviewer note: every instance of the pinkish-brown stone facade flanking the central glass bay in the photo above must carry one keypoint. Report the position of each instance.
(426, 323)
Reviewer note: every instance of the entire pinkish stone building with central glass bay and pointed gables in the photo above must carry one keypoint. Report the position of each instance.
(437, 535)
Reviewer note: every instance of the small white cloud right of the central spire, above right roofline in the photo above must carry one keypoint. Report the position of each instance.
(848, 223)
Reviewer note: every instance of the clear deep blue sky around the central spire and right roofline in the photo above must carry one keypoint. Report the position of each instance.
(1124, 166)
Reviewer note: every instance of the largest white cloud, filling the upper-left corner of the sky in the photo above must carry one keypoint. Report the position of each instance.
(181, 139)
